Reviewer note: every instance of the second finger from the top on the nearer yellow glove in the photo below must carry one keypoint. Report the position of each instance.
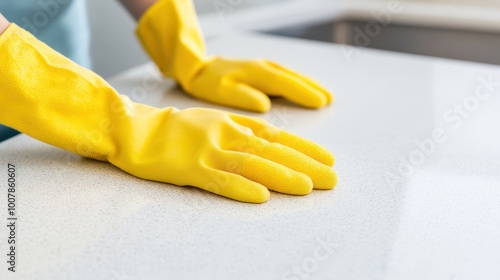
(322, 176)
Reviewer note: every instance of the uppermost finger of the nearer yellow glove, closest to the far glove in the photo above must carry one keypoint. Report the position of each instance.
(262, 129)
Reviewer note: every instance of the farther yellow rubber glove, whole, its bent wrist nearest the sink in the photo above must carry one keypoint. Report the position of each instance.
(170, 34)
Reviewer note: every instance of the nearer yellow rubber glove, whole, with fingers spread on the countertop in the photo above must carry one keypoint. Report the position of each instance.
(50, 98)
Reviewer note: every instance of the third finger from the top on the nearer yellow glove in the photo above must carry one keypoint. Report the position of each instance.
(270, 174)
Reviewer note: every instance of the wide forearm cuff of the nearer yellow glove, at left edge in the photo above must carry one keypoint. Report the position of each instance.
(54, 100)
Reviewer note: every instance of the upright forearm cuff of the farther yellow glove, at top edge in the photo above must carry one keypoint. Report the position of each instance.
(170, 33)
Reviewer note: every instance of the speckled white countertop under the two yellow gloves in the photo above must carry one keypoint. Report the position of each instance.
(82, 219)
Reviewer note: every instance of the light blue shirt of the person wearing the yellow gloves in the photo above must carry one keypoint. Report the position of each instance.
(61, 24)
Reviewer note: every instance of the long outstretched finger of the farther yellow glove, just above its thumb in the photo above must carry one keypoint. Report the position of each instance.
(274, 81)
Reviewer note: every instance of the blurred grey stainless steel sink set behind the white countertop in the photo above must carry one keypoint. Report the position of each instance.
(461, 44)
